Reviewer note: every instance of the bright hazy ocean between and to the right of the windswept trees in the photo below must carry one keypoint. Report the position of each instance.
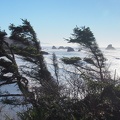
(112, 56)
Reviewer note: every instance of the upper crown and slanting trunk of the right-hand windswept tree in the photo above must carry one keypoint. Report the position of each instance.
(96, 61)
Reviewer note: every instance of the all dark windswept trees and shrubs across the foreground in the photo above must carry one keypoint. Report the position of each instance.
(88, 92)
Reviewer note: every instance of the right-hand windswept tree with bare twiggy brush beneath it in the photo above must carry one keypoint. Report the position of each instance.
(90, 74)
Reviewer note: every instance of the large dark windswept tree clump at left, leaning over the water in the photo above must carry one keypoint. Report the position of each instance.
(27, 48)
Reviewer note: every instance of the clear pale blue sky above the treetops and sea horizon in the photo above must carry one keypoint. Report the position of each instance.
(54, 20)
